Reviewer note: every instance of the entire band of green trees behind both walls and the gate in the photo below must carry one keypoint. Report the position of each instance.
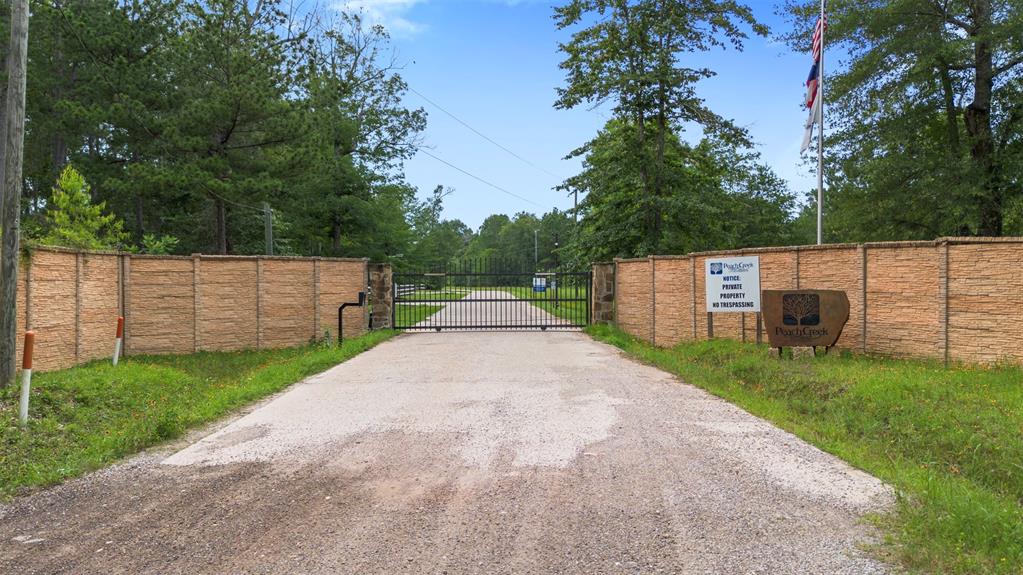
(186, 117)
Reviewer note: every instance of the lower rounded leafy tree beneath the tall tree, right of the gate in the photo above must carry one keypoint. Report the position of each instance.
(718, 198)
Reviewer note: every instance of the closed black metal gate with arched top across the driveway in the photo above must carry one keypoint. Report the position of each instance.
(491, 295)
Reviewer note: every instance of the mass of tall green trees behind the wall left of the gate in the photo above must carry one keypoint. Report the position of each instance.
(186, 116)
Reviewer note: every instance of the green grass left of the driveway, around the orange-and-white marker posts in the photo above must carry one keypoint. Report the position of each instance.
(88, 417)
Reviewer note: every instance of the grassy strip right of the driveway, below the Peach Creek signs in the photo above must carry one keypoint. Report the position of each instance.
(951, 441)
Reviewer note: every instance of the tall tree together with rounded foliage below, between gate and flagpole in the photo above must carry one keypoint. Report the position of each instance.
(646, 188)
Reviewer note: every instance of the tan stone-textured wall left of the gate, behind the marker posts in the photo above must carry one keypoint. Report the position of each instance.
(172, 304)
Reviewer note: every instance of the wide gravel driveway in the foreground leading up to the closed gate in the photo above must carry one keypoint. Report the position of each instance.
(479, 453)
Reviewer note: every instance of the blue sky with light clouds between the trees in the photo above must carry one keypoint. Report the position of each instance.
(495, 66)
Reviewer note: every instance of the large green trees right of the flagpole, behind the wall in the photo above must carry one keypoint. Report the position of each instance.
(925, 116)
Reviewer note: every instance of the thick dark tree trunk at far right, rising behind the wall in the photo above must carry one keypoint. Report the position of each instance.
(978, 124)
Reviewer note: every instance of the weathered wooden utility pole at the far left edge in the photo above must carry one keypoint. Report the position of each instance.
(14, 149)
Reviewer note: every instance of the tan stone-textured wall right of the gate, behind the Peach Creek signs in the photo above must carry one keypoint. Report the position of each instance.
(953, 299)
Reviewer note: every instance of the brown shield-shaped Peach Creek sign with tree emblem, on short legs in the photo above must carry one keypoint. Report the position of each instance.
(805, 318)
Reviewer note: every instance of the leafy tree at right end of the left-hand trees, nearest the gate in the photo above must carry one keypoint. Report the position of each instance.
(358, 136)
